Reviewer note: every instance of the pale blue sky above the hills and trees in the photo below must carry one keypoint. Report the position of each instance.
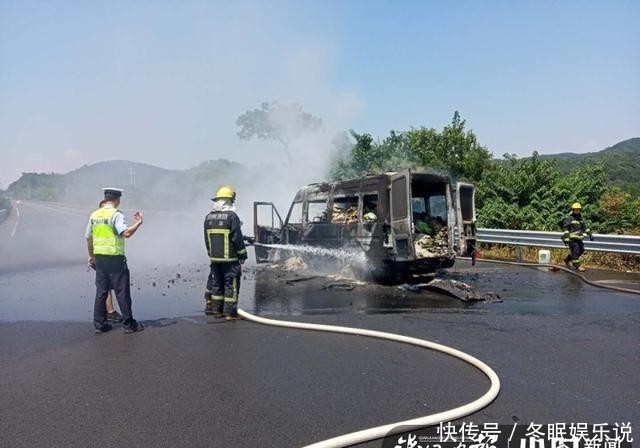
(162, 82)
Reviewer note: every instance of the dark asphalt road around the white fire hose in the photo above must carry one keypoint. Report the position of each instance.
(564, 351)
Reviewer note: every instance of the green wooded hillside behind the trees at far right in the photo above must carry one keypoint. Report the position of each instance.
(621, 161)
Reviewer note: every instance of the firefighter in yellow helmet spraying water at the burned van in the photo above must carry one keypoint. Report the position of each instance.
(227, 252)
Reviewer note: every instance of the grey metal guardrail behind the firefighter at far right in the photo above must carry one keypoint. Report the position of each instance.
(622, 244)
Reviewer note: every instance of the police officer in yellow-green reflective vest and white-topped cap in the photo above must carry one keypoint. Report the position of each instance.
(105, 235)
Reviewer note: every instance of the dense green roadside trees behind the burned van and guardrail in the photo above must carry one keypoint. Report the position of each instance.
(533, 193)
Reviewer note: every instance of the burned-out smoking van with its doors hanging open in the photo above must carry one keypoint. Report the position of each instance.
(406, 223)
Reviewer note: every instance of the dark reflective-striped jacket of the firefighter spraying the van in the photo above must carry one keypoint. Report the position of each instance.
(222, 234)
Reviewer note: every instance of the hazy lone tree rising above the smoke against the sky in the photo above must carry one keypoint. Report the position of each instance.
(275, 121)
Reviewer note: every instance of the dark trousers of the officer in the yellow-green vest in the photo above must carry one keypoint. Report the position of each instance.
(107, 280)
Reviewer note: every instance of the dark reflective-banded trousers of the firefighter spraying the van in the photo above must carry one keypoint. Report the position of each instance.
(223, 287)
